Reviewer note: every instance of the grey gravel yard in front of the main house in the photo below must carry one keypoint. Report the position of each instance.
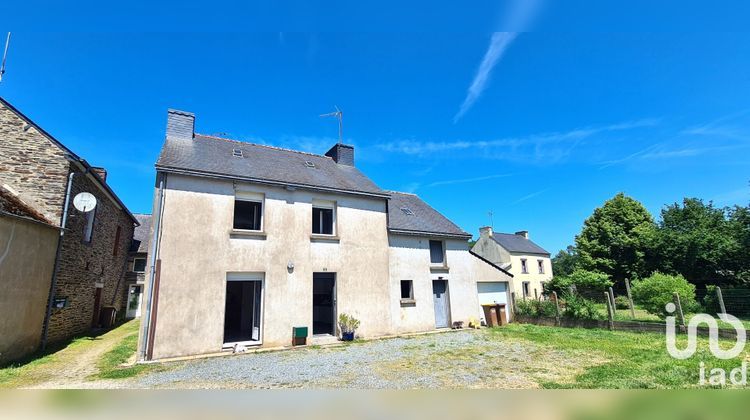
(462, 359)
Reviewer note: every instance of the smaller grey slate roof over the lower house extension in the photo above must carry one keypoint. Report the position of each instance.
(425, 219)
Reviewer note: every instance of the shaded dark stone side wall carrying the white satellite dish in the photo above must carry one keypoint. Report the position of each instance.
(84, 265)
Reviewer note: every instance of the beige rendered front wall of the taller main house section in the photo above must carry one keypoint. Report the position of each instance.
(197, 251)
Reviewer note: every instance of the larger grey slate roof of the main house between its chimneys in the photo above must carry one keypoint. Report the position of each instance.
(214, 156)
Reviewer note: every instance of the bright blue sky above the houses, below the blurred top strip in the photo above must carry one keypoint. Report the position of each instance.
(537, 127)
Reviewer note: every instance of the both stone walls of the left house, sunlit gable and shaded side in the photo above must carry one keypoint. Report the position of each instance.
(94, 248)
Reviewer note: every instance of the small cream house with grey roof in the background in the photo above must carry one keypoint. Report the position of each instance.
(529, 263)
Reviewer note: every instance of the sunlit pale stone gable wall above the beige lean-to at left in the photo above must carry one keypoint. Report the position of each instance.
(32, 165)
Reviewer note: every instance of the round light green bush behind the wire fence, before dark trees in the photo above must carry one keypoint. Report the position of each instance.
(653, 293)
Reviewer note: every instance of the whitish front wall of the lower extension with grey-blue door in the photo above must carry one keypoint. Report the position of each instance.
(410, 260)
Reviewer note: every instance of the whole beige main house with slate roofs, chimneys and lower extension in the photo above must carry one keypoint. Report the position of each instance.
(253, 241)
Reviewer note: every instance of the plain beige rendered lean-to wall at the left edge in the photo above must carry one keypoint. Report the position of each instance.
(27, 255)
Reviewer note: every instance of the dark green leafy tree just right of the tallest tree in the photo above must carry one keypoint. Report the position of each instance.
(695, 239)
